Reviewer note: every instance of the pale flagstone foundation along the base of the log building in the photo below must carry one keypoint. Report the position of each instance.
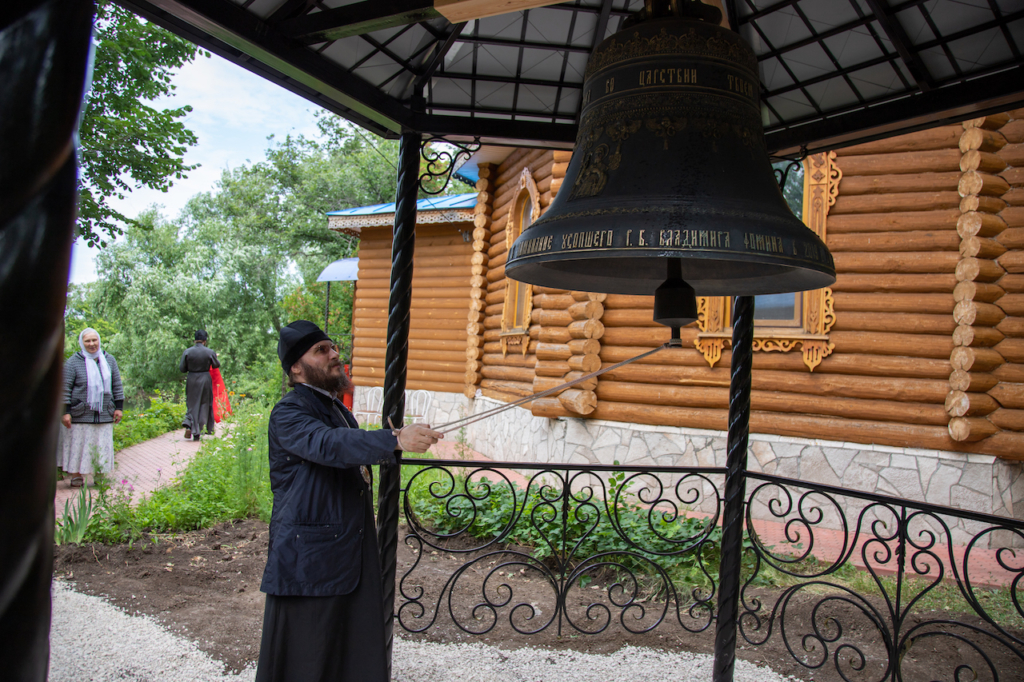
(975, 483)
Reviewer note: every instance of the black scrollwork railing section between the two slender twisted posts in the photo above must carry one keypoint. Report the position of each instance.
(641, 523)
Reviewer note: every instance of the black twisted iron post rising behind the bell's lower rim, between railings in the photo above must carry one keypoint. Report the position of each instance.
(727, 630)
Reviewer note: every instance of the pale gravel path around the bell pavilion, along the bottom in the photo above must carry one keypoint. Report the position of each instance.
(94, 642)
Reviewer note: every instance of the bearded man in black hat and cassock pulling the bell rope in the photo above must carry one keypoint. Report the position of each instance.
(325, 604)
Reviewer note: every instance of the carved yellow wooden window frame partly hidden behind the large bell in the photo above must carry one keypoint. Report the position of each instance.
(822, 178)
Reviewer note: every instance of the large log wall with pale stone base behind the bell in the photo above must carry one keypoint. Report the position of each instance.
(874, 414)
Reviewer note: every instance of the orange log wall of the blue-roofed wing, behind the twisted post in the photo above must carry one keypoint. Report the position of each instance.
(441, 293)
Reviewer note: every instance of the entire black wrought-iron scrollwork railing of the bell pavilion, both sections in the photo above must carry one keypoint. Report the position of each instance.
(845, 580)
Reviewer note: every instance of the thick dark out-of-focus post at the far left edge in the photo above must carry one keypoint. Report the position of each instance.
(44, 54)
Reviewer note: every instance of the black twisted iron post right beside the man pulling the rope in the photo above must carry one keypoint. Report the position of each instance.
(396, 365)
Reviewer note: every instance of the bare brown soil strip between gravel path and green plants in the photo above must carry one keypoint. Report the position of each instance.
(205, 585)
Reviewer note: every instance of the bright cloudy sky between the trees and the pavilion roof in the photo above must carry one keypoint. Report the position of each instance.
(234, 112)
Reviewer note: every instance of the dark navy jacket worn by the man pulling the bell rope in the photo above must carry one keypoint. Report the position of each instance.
(320, 498)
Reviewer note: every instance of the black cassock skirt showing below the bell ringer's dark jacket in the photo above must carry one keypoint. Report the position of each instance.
(328, 640)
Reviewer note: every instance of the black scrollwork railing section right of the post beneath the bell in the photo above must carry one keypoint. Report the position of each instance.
(903, 557)
